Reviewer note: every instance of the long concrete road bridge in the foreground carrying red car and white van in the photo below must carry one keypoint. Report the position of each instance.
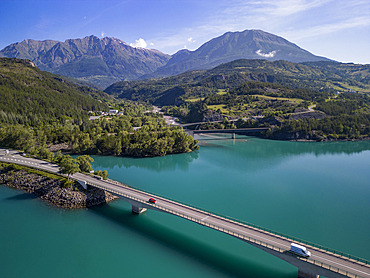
(322, 262)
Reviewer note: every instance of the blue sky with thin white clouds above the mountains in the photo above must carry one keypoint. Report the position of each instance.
(336, 29)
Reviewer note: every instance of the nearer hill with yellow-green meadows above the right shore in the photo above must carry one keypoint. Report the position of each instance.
(291, 114)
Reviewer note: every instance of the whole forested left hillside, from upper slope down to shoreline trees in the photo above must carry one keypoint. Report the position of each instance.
(40, 111)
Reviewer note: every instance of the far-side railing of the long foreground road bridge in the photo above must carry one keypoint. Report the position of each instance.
(342, 254)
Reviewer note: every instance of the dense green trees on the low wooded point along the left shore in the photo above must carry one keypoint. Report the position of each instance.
(132, 134)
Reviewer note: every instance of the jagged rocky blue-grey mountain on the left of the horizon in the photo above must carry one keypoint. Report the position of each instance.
(98, 61)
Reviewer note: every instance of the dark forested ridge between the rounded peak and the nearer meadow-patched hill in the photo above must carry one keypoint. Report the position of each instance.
(315, 76)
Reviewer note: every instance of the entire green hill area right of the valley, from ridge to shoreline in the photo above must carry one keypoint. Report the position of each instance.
(310, 101)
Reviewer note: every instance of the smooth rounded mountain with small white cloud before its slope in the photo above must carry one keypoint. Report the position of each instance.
(249, 44)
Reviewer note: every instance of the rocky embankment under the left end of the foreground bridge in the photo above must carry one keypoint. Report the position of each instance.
(54, 191)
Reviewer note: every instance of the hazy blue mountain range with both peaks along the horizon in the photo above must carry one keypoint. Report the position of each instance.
(104, 61)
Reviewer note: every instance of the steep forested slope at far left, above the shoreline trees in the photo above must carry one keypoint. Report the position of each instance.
(30, 96)
